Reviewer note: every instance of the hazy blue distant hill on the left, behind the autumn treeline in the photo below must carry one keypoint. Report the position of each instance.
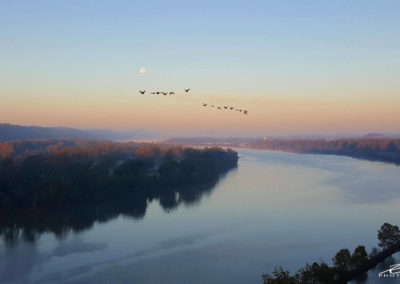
(9, 132)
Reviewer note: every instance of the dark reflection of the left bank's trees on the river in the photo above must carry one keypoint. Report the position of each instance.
(29, 225)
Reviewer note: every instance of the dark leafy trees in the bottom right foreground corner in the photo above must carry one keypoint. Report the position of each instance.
(346, 266)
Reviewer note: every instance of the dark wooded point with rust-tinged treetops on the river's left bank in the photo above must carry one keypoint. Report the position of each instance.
(47, 173)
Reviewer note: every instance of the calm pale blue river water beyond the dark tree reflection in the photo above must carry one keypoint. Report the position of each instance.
(274, 209)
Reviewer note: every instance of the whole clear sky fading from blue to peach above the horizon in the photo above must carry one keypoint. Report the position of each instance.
(298, 67)
